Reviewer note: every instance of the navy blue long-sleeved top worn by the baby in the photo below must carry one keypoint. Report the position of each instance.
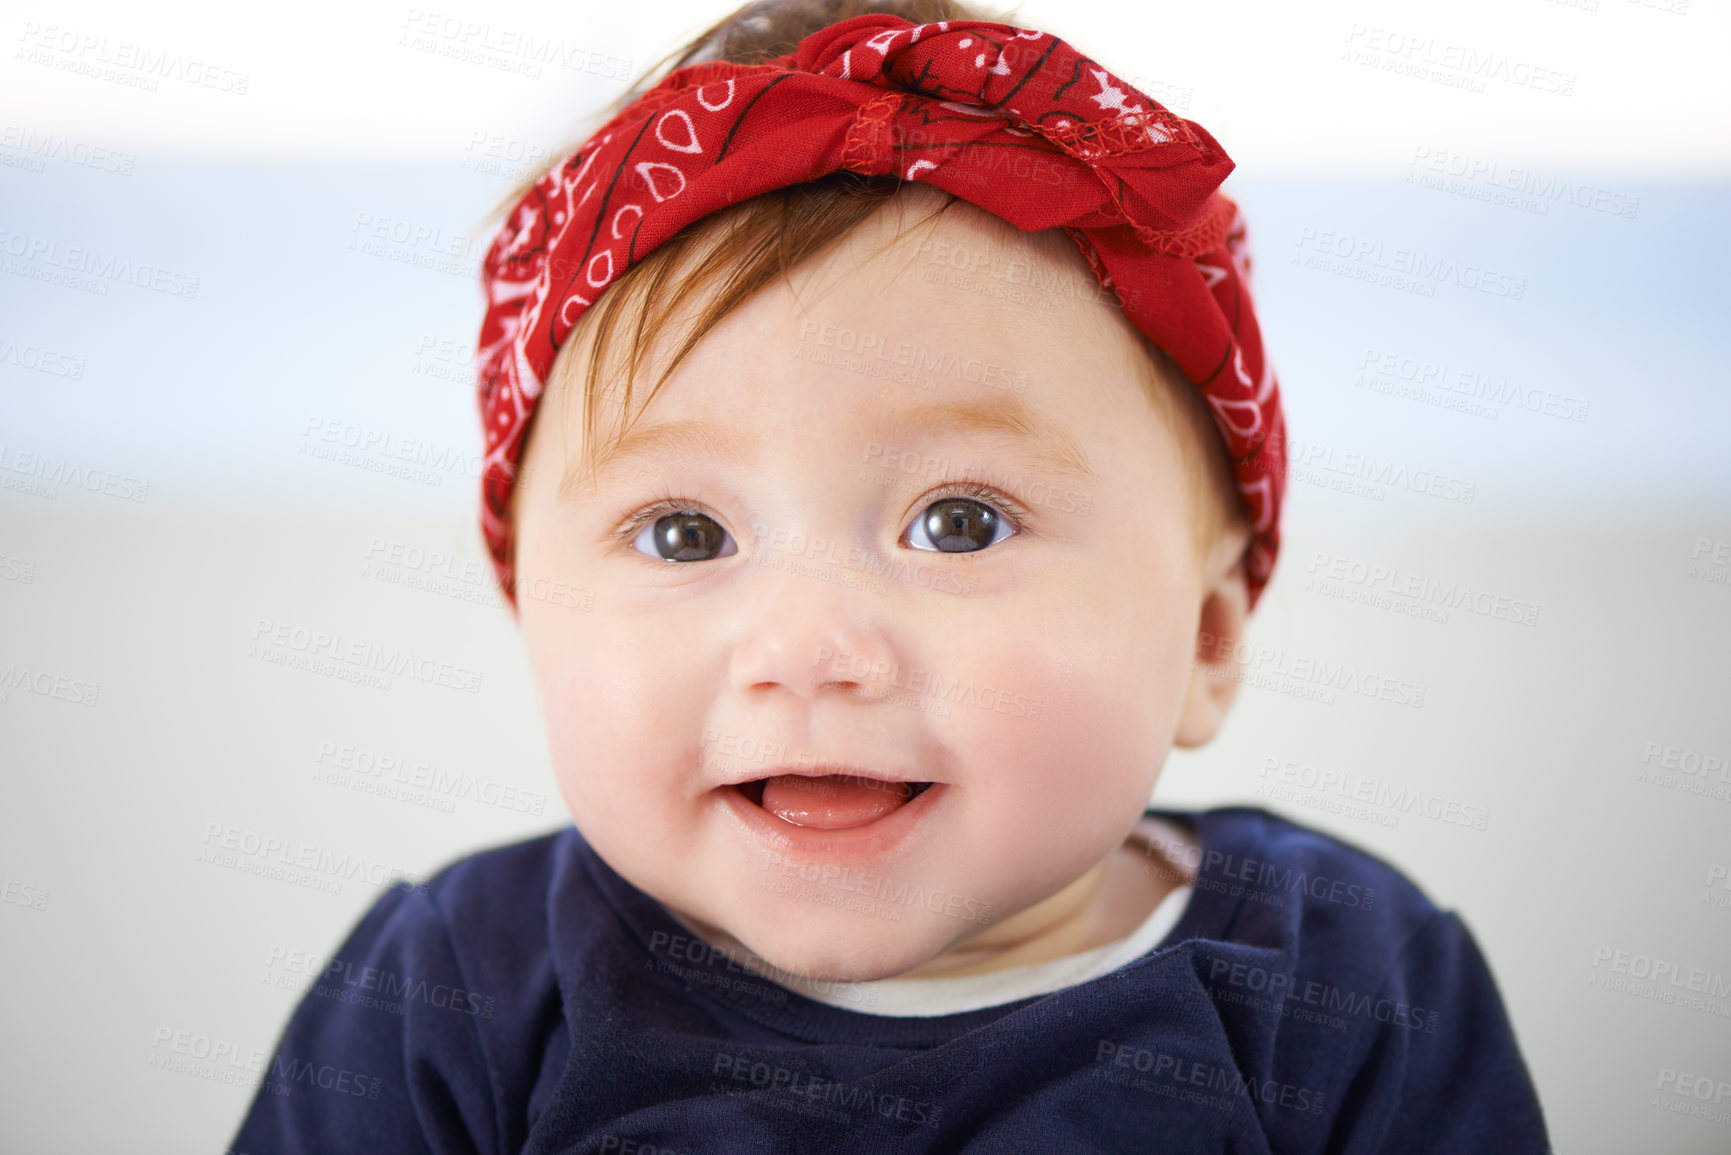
(532, 1000)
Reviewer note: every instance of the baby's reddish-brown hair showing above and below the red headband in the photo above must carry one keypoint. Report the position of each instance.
(747, 245)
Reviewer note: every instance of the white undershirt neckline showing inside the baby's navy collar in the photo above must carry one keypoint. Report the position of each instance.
(908, 998)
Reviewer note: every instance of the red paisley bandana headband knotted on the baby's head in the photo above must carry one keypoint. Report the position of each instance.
(949, 105)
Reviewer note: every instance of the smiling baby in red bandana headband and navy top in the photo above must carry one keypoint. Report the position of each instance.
(939, 468)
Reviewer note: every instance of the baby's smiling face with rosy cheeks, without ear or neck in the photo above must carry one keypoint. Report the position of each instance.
(835, 591)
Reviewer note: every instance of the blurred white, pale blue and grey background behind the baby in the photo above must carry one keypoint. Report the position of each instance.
(238, 314)
